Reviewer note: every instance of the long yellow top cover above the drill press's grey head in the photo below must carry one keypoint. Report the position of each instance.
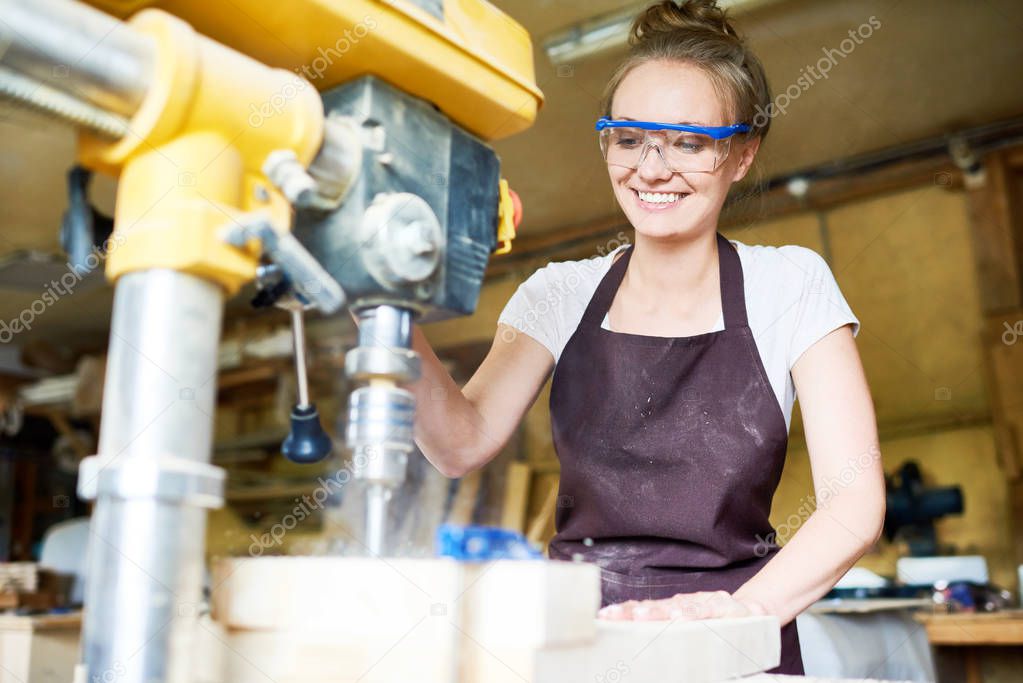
(476, 65)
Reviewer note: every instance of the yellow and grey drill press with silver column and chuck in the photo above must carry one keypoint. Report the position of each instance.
(335, 150)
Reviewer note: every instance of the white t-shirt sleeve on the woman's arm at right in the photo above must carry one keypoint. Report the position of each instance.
(821, 308)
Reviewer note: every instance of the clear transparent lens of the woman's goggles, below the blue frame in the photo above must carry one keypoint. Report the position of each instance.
(682, 152)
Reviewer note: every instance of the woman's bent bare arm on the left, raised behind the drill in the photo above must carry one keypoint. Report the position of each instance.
(462, 430)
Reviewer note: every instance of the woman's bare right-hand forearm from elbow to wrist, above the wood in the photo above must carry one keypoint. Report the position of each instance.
(816, 558)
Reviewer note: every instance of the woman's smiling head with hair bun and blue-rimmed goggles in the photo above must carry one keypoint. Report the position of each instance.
(689, 66)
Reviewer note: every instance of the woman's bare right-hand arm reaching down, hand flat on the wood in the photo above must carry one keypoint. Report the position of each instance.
(849, 481)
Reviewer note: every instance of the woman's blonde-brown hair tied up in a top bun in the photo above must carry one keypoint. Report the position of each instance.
(698, 32)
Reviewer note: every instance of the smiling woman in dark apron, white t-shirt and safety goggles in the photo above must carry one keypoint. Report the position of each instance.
(677, 360)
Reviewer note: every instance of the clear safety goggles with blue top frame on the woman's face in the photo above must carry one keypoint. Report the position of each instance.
(684, 149)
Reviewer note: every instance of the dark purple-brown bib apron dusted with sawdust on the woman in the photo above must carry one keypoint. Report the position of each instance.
(672, 449)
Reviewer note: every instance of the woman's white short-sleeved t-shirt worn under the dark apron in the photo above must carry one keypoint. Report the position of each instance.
(792, 301)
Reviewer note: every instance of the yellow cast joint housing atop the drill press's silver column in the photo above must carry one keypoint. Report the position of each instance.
(193, 160)
